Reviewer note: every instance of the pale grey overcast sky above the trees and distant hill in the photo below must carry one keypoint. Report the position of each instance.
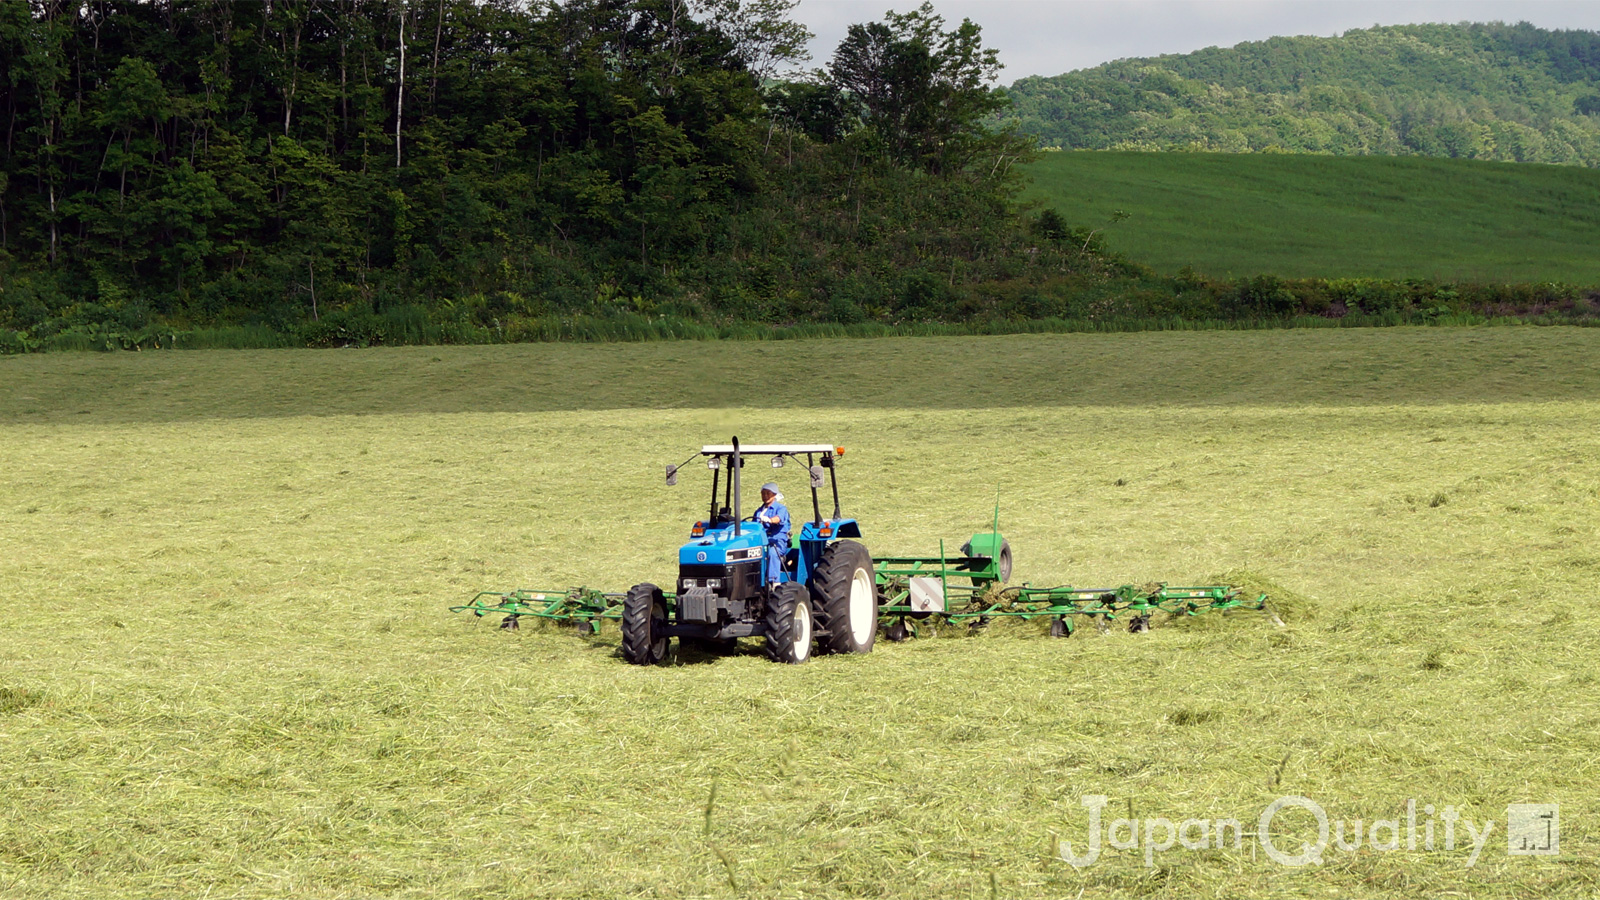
(1049, 38)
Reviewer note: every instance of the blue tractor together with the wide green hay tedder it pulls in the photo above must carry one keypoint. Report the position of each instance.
(828, 592)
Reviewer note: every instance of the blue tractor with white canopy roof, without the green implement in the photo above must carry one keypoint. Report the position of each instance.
(826, 590)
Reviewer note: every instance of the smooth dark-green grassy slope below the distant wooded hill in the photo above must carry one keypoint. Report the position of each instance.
(1335, 217)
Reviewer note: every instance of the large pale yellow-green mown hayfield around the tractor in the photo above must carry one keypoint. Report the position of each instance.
(226, 667)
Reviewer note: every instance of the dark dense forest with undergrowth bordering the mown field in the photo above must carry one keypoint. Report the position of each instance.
(378, 172)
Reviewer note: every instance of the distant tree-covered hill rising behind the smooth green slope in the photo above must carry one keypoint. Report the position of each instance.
(1466, 90)
